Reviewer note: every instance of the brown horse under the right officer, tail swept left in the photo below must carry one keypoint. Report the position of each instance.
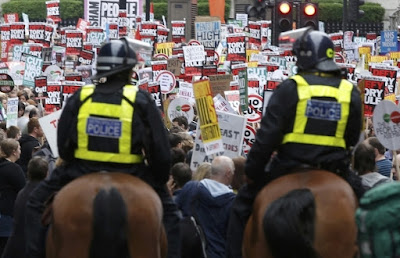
(304, 214)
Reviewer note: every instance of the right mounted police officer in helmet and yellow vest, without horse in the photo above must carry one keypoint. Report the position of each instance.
(312, 120)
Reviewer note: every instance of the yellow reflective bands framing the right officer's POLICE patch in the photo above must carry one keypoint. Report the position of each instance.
(305, 92)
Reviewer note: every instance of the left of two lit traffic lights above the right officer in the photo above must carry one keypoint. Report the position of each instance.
(283, 18)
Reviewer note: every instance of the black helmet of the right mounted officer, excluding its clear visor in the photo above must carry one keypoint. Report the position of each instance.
(315, 51)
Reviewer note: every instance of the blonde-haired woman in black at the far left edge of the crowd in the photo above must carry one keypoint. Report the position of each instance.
(12, 179)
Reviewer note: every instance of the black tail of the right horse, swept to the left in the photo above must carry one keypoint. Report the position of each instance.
(288, 225)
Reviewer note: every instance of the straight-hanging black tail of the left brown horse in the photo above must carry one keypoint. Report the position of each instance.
(109, 225)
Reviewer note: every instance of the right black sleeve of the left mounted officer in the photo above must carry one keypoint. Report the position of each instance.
(155, 140)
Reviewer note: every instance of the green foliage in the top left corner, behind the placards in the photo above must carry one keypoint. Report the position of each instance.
(36, 9)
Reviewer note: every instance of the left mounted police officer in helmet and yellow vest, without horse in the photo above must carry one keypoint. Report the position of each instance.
(111, 126)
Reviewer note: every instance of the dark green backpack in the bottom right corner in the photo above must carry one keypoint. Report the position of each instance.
(378, 222)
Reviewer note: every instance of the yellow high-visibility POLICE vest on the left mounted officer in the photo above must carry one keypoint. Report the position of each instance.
(106, 120)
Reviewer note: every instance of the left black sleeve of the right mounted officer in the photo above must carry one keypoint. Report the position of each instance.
(271, 131)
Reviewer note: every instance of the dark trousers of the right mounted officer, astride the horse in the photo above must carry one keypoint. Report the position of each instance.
(243, 204)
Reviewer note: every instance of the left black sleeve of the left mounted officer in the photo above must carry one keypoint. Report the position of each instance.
(66, 129)
